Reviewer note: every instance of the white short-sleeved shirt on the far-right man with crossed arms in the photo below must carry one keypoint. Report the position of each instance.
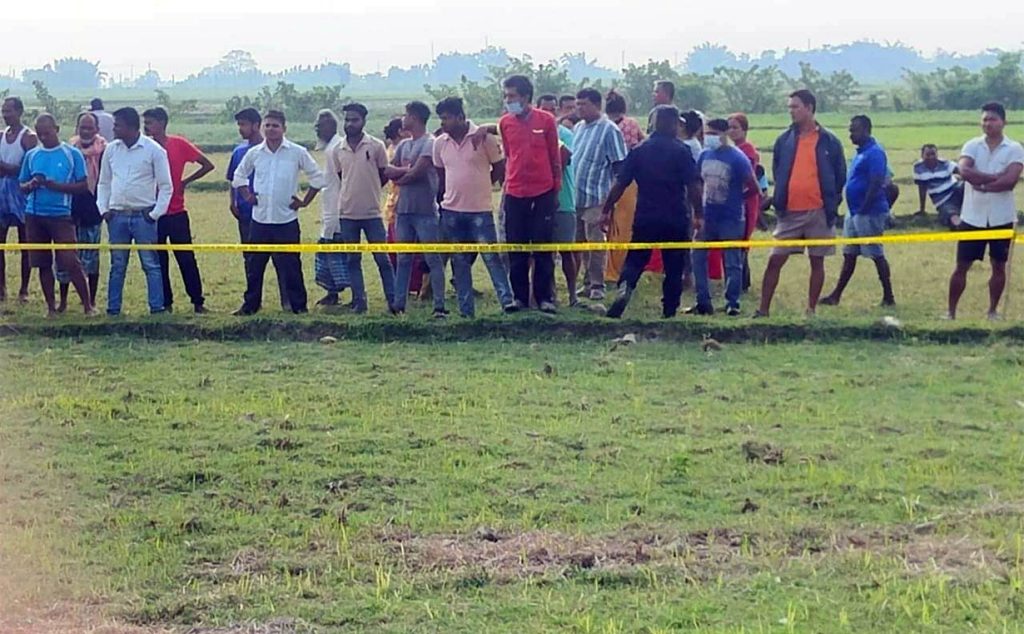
(987, 208)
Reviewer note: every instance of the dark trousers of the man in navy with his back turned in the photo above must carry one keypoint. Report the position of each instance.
(675, 261)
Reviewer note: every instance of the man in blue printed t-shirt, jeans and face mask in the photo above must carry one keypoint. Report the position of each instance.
(729, 179)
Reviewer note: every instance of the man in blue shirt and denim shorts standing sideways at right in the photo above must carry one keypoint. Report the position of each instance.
(866, 198)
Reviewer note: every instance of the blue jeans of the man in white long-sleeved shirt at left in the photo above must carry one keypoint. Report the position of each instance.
(124, 228)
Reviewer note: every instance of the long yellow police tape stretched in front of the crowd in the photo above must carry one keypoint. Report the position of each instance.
(944, 237)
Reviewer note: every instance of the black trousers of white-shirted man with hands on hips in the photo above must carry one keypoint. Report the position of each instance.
(288, 266)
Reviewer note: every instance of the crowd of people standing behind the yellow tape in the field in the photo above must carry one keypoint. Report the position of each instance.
(571, 170)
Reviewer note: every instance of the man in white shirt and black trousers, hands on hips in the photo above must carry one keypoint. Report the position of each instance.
(277, 163)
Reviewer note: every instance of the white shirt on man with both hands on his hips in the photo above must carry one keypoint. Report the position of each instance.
(277, 180)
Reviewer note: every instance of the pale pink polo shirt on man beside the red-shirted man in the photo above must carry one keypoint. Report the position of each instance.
(467, 172)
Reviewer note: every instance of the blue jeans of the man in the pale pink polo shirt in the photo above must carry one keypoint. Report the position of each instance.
(472, 228)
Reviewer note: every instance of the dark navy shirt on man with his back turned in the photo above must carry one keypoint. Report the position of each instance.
(663, 167)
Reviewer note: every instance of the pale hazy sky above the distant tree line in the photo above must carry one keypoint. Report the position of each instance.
(180, 37)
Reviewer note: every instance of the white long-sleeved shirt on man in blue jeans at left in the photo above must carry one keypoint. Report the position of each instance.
(134, 179)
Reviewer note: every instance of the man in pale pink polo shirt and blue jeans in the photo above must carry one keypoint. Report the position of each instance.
(470, 173)
